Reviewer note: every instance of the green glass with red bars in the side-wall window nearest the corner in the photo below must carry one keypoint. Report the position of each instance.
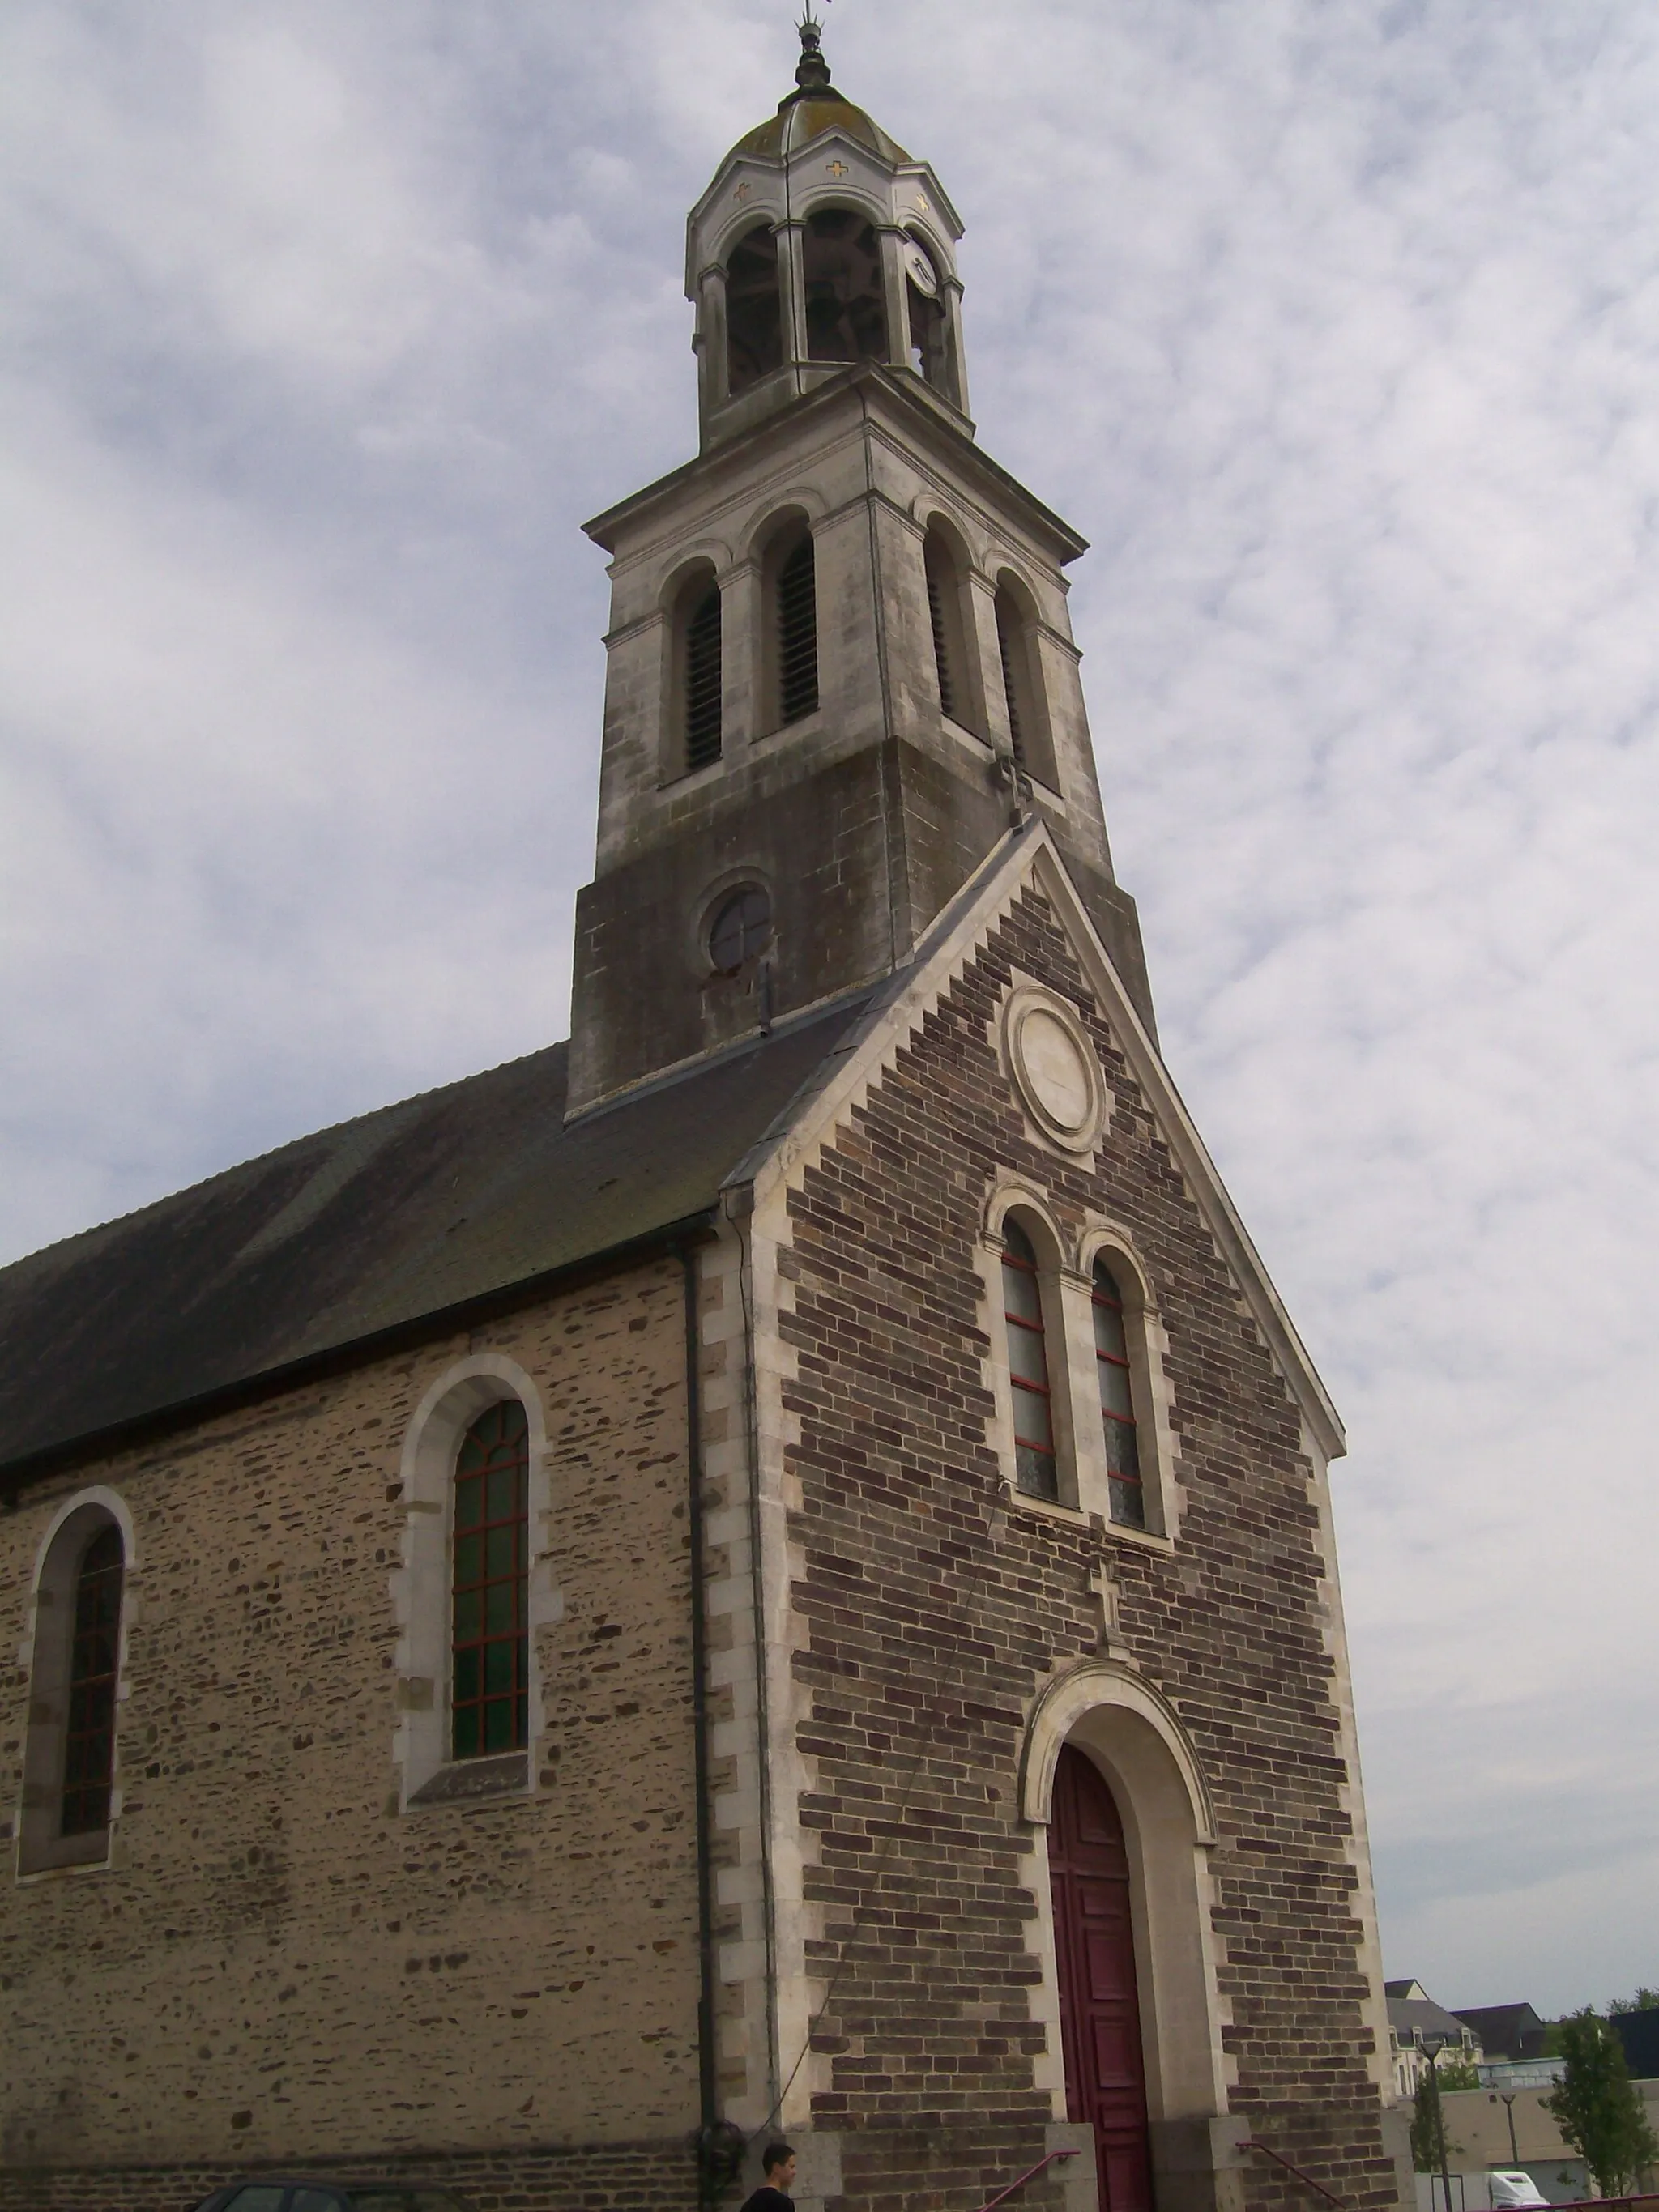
(490, 1709)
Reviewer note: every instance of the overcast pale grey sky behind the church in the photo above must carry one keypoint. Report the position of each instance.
(1335, 328)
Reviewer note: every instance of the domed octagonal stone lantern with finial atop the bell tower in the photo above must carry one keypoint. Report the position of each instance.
(822, 244)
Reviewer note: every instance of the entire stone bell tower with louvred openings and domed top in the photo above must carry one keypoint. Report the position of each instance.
(839, 656)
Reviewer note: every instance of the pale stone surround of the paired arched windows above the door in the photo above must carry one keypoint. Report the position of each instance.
(1067, 1275)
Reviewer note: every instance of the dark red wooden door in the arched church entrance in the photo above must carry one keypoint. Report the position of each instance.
(1100, 2012)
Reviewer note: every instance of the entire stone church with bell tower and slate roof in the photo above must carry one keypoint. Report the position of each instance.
(762, 1572)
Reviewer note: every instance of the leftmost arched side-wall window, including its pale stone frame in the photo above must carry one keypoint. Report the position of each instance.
(74, 1693)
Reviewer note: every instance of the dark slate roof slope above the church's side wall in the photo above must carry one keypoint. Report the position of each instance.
(371, 1231)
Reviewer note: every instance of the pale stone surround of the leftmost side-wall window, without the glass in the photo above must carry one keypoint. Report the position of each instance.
(45, 1662)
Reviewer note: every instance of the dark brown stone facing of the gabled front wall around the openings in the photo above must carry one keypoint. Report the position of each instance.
(937, 1607)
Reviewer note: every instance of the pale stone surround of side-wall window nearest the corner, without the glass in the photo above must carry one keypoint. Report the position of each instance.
(421, 1587)
